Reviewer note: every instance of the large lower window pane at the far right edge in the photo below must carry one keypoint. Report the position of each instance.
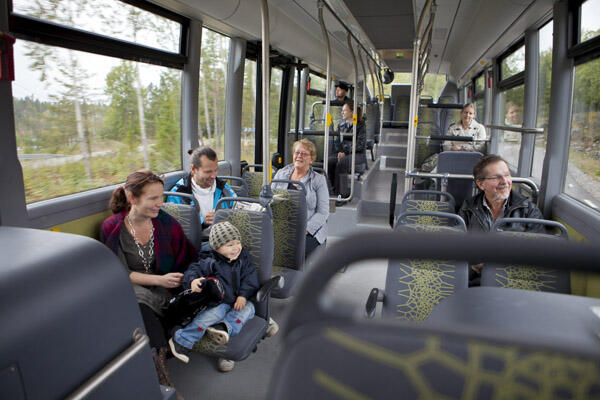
(583, 171)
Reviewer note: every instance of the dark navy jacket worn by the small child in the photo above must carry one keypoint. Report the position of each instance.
(239, 278)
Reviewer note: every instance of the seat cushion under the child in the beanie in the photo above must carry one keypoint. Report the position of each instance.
(240, 346)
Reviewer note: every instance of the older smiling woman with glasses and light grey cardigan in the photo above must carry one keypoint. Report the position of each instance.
(317, 194)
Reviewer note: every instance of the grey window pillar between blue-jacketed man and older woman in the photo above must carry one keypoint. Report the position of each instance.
(233, 106)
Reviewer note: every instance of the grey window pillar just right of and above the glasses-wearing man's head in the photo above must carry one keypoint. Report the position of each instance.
(530, 102)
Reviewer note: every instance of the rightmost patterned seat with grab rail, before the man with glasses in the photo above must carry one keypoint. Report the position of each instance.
(527, 277)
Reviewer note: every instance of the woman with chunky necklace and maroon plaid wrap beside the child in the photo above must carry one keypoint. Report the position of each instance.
(154, 250)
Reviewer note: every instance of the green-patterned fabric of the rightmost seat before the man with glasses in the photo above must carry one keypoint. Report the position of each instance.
(526, 277)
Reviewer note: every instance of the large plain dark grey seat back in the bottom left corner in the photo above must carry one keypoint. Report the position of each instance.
(68, 310)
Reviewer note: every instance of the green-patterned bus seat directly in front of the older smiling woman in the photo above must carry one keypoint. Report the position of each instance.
(289, 228)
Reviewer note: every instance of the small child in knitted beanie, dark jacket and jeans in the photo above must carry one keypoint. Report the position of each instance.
(228, 263)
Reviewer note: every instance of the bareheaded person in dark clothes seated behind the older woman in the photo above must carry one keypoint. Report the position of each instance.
(341, 161)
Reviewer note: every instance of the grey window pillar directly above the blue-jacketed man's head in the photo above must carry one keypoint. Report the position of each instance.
(190, 86)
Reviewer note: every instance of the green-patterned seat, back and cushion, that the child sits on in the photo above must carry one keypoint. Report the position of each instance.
(256, 229)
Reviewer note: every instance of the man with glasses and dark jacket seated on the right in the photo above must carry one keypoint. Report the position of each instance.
(496, 200)
